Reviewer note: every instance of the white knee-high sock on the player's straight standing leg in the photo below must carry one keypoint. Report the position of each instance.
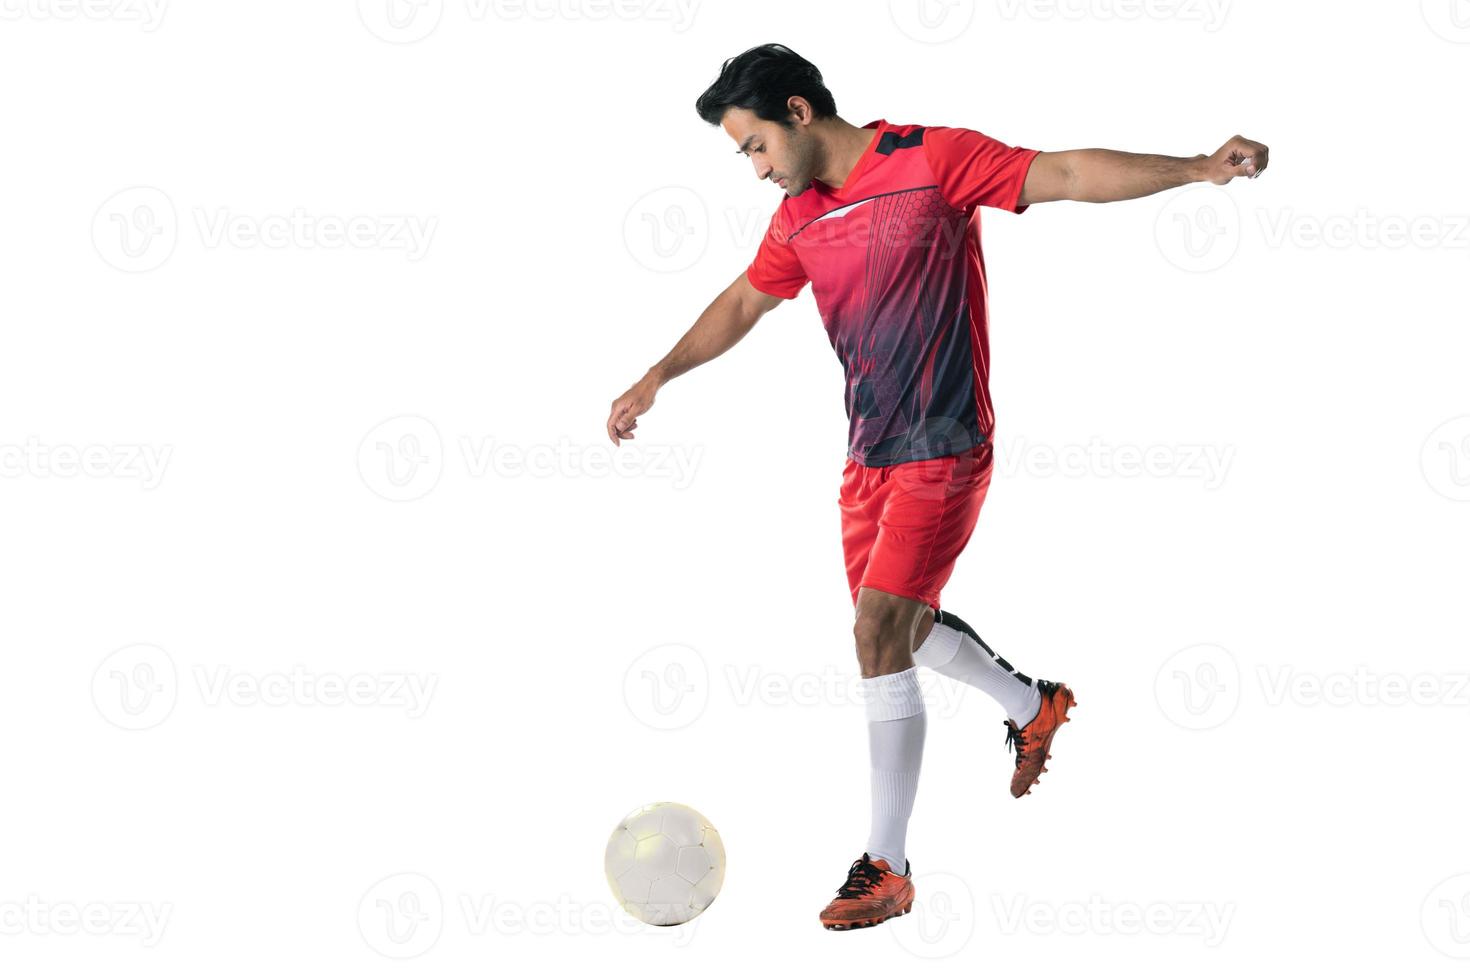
(896, 728)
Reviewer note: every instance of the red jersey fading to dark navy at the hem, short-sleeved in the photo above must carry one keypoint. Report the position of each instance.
(896, 267)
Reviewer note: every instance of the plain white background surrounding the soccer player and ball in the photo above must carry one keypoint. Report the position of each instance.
(384, 461)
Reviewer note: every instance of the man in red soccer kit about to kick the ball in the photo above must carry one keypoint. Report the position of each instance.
(884, 221)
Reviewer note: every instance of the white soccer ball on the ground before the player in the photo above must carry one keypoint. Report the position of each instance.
(665, 863)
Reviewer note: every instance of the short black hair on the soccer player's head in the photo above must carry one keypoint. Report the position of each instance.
(762, 80)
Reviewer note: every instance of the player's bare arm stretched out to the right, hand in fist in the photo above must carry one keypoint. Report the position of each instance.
(1111, 176)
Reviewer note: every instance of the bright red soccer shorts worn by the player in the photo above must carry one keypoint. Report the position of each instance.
(905, 525)
